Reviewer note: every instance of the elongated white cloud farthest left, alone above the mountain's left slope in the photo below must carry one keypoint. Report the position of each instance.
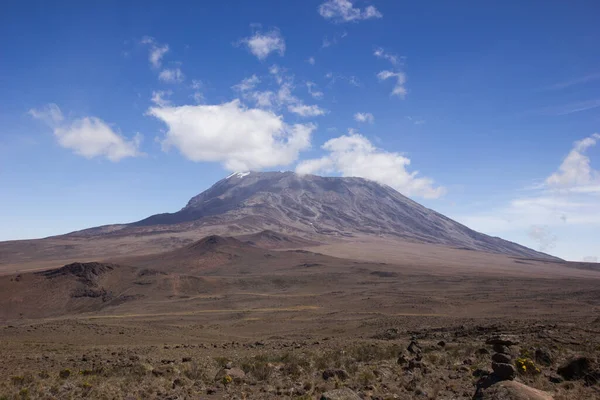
(89, 137)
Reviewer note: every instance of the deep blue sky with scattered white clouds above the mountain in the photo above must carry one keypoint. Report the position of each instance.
(484, 111)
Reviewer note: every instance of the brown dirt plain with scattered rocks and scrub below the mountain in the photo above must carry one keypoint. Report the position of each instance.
(284, 331)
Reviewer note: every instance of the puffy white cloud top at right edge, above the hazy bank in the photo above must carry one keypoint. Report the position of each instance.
(575, 170)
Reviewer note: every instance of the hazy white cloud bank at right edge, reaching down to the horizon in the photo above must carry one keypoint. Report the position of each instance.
(562, 214)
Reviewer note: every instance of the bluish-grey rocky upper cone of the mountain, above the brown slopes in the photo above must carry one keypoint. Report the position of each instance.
(312, 205)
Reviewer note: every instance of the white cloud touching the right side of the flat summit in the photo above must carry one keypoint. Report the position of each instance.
(354, 155)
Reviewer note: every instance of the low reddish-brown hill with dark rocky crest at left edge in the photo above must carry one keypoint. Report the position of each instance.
(88, 287)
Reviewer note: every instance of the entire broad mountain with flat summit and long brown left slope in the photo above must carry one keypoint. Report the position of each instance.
(275, 210)
